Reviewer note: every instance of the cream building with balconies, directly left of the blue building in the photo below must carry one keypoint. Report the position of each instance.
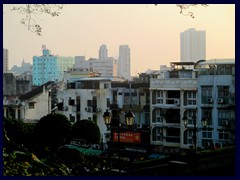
(171, 95)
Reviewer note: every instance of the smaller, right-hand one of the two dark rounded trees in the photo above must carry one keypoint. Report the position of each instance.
(86, 131)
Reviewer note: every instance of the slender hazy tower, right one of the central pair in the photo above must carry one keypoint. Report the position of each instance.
(124, 66)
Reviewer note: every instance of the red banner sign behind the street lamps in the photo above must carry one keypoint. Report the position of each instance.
(134, 137)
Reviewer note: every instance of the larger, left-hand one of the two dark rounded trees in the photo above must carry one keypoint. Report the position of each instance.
(52, 130)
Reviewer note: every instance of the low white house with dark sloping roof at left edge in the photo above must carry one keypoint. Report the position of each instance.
(29, 107)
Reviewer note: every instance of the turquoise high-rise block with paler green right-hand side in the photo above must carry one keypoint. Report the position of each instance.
(49, 67)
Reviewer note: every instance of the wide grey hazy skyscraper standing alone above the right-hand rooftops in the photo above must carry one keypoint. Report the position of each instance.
(193, 45)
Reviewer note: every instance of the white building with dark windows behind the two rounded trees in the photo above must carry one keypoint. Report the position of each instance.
(89, 99)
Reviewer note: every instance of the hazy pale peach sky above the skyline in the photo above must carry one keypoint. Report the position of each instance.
(152, 32)
